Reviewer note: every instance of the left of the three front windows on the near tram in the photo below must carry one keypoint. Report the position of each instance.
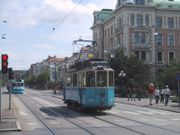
(90, 79)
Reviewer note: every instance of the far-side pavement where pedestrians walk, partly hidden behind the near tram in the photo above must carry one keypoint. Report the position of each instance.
(143, 103)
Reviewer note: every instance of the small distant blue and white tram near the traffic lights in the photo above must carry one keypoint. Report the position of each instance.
(17, 86)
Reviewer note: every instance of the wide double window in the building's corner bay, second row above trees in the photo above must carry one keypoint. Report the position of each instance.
(139, 37)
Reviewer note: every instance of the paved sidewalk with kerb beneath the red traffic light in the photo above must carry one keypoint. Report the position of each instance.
(9, 121)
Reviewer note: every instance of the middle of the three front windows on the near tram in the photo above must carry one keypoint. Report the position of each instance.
(101, 78)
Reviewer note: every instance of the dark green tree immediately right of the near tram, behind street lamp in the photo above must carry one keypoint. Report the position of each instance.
(137, 73)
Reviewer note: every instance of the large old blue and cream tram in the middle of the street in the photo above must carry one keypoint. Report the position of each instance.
(90, 85)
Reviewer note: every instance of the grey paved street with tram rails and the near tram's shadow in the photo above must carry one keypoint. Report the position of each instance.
(41, 113)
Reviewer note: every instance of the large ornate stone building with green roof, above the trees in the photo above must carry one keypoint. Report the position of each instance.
(148, 29)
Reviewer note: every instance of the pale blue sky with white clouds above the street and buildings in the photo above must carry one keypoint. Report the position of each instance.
(36, 29)
